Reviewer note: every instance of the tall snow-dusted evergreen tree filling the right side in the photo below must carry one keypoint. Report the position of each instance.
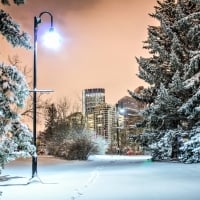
(173, 74)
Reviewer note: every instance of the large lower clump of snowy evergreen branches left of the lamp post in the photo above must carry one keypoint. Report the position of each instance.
(15, 137)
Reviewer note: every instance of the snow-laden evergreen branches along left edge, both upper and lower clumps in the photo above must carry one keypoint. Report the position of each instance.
(15, 137)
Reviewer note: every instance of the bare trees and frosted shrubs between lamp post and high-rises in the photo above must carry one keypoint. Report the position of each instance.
(66, 135)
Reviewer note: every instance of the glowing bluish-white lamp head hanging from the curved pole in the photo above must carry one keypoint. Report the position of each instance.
(51, 39)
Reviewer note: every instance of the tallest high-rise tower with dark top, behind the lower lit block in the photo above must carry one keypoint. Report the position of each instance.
(91, 98)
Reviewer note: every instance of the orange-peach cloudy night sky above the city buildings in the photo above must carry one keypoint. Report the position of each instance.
(100, 41)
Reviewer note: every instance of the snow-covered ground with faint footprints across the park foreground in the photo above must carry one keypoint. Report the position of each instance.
(128, 177)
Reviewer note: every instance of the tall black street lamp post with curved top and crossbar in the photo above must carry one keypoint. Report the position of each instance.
(37, 21)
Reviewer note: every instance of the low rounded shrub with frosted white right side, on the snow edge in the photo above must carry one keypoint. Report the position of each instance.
(78, 146)
